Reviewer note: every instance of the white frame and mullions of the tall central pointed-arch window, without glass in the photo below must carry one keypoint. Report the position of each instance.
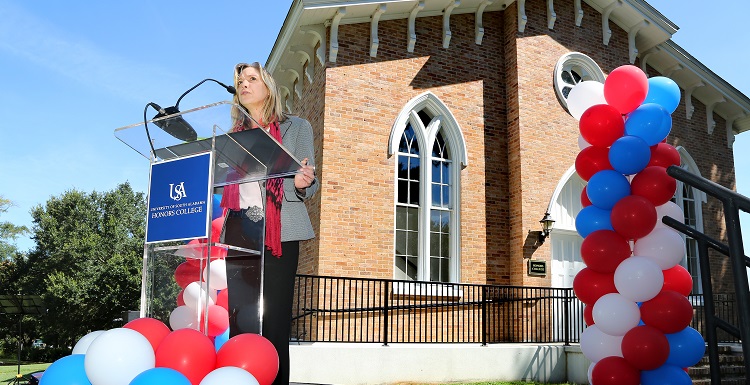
(442, 121)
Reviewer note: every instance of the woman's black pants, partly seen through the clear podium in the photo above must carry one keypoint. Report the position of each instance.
(243, 283)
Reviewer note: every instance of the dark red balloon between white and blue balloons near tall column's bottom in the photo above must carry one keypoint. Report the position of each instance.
(645, 347)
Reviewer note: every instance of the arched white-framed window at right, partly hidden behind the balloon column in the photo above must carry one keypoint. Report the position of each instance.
(691, 200)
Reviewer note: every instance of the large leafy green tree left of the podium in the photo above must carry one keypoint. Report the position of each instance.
(86, 264)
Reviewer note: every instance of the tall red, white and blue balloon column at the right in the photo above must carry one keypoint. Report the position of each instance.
(637, 312)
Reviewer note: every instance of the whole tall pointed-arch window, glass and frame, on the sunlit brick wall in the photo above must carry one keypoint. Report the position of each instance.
(430, 152)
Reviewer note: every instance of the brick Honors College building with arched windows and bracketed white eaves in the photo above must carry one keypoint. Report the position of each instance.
(476, 89)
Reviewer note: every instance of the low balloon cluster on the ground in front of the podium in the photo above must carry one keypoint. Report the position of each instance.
(146, 352)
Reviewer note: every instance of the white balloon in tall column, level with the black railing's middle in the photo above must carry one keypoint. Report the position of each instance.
(615, 314)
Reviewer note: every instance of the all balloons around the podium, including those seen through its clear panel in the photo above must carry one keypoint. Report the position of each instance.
(196, 351)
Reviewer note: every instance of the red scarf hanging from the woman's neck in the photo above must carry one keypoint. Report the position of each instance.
(274, 196)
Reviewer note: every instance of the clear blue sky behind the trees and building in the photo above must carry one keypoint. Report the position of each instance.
(72, 72)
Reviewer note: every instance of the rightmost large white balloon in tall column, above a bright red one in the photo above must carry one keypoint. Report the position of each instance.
(663, 246)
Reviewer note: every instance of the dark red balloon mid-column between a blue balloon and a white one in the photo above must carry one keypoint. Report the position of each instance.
(633, 217)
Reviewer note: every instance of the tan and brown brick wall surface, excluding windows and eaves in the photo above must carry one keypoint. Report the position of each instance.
(520, 141)
